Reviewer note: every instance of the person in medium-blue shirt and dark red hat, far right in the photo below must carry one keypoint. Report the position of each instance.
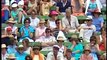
(98, 21)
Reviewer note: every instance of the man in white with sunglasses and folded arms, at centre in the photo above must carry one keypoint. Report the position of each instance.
(47, 41)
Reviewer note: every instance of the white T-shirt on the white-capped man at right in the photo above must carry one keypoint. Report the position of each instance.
(88, 33)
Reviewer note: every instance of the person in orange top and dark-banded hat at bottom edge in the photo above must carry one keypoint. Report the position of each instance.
(35, 54)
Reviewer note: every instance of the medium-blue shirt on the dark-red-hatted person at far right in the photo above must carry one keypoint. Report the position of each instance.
(97, 22)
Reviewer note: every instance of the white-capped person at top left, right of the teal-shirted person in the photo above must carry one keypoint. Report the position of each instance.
(22, 14)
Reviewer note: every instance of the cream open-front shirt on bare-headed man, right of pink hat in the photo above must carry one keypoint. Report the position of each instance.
(73, 22)
